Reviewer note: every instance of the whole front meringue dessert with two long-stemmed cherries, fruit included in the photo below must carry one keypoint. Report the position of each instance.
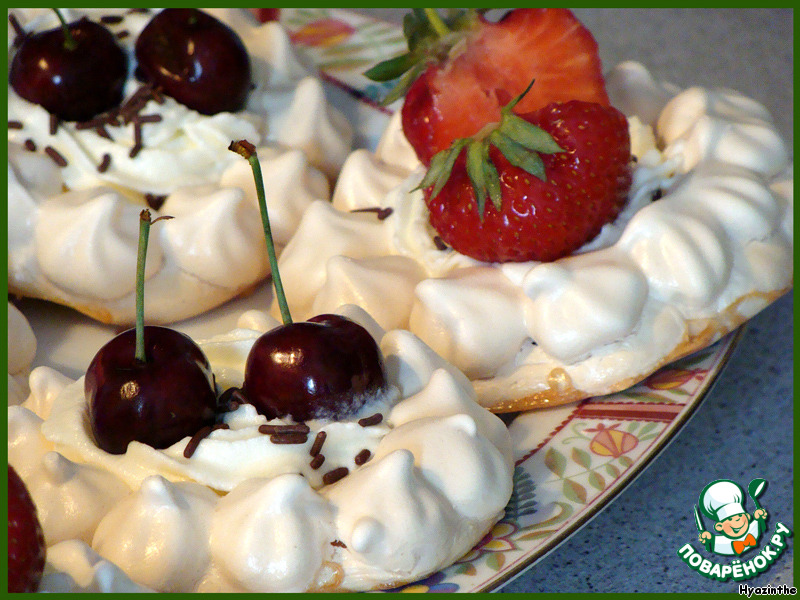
(258, 460)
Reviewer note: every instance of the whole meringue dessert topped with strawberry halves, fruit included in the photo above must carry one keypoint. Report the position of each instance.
(443, 239)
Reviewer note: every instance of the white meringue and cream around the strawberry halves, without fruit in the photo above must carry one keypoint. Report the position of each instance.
(712, 251)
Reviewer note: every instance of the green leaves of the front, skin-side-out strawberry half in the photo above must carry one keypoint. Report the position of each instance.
(519, 141)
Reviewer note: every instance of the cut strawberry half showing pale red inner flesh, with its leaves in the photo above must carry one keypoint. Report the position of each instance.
(461, 69)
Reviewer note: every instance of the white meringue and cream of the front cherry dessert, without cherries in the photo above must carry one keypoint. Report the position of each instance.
(401, 490)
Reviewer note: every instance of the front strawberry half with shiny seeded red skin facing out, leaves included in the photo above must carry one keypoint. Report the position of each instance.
(554, 176)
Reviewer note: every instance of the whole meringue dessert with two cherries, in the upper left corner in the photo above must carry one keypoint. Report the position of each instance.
(79, 171)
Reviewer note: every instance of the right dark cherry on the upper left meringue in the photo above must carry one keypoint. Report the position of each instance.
(196, 59)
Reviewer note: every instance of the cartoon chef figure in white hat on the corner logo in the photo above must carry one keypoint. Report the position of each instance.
(735, 531)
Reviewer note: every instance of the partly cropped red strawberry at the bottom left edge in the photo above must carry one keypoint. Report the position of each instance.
(26, 549)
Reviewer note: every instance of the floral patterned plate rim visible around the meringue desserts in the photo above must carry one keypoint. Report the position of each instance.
(571, 461)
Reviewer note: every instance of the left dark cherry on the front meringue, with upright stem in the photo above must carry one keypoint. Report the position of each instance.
(157, 402)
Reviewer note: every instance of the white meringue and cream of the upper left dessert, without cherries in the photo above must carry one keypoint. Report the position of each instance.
(72, 228)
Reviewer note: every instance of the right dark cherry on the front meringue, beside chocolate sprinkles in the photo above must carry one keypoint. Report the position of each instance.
(323, 368)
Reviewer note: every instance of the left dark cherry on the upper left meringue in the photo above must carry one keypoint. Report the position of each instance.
(73, 84)
